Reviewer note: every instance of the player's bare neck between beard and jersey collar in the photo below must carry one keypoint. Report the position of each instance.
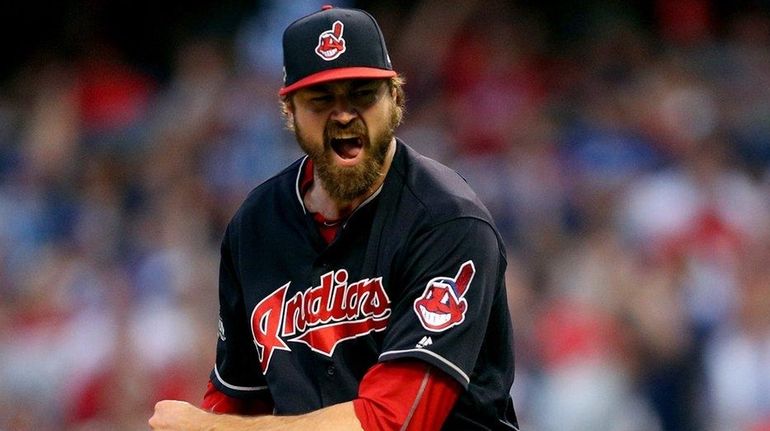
(318, 200)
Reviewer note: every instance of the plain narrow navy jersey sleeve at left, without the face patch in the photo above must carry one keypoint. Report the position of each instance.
(236, 373)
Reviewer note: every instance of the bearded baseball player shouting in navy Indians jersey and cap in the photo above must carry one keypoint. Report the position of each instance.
(363, 286)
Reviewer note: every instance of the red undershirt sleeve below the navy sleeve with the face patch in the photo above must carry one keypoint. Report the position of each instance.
(405, 395)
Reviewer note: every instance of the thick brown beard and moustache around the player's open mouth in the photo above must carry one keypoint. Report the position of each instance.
(344, 184)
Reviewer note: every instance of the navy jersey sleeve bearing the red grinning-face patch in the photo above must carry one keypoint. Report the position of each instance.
(452, 275)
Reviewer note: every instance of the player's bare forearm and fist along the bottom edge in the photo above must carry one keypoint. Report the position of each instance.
(177, 415)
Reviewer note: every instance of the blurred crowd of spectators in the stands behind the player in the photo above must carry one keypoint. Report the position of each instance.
(623, 148)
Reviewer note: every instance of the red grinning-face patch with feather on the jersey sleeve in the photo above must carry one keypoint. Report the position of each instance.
(442, 305)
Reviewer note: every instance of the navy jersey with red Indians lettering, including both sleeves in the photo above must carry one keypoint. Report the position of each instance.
(417, 271)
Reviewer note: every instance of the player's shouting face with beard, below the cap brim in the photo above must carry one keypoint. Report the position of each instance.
(346, 128)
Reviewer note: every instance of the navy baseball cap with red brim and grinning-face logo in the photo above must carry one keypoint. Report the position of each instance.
(332, 44)
